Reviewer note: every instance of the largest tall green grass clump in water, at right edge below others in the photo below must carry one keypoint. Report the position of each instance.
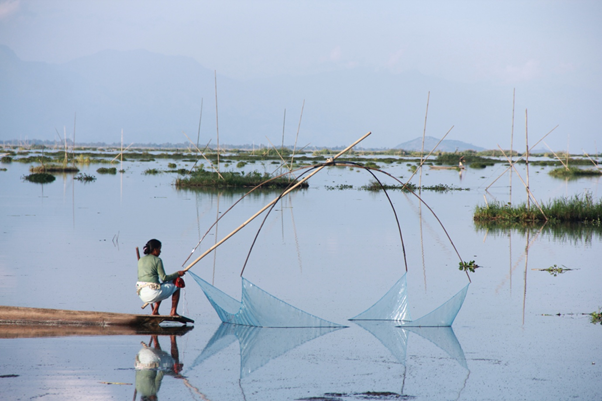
(578, 209)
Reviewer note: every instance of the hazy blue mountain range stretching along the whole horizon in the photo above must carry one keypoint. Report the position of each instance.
(154, 98)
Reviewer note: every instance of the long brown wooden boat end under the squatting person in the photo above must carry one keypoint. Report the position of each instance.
(16, 315)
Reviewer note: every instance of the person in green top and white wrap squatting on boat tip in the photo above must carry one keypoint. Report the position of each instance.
(153, 284)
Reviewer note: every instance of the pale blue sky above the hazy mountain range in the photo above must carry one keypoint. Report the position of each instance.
(511, 44)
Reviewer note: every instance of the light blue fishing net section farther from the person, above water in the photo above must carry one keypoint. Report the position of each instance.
(394, 306)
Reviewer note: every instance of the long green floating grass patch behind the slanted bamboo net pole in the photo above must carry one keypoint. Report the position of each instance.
(210, 179)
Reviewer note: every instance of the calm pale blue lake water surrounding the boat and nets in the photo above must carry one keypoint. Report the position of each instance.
(522, 334)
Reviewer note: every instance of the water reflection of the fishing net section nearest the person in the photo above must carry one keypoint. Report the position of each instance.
(258, 345)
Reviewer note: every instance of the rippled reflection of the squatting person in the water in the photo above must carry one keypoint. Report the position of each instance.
(152, 363)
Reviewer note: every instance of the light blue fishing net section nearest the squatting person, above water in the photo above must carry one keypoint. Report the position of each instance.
(258, 308)
